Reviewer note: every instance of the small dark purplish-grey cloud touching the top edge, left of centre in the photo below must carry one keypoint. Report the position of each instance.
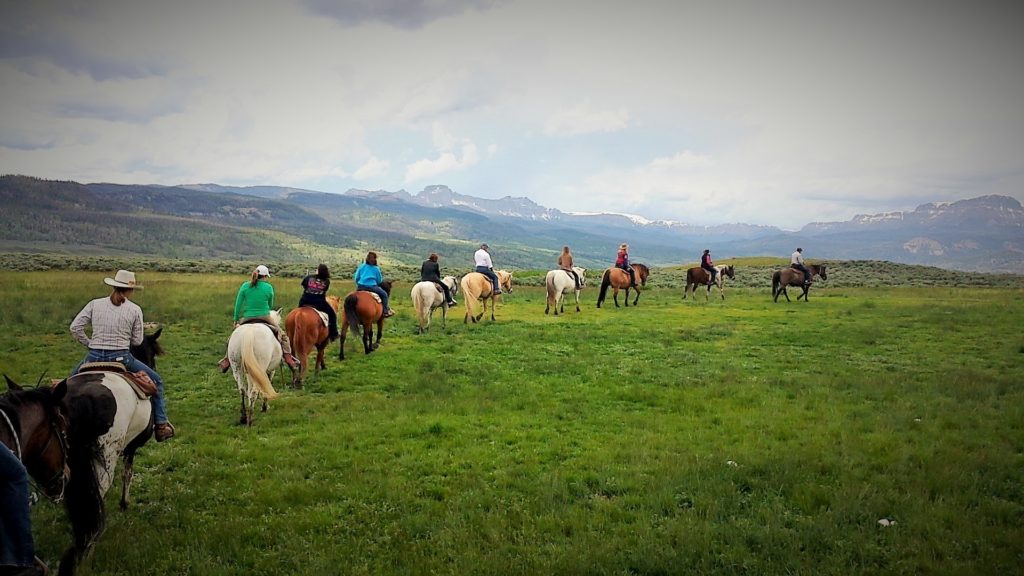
(410, 15)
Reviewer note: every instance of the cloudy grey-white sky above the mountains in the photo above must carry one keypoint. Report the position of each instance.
(778, 113)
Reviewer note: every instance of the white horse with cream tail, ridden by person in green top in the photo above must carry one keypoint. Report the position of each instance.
(254, 353)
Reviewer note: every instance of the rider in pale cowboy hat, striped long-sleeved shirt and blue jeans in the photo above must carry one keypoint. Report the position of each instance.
(117, 325)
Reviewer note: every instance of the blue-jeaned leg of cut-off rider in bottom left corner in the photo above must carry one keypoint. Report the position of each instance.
(17, 547)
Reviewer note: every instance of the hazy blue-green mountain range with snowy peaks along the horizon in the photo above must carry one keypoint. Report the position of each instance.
(208, 221)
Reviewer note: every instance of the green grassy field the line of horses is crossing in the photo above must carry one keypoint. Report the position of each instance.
(743, 437)
